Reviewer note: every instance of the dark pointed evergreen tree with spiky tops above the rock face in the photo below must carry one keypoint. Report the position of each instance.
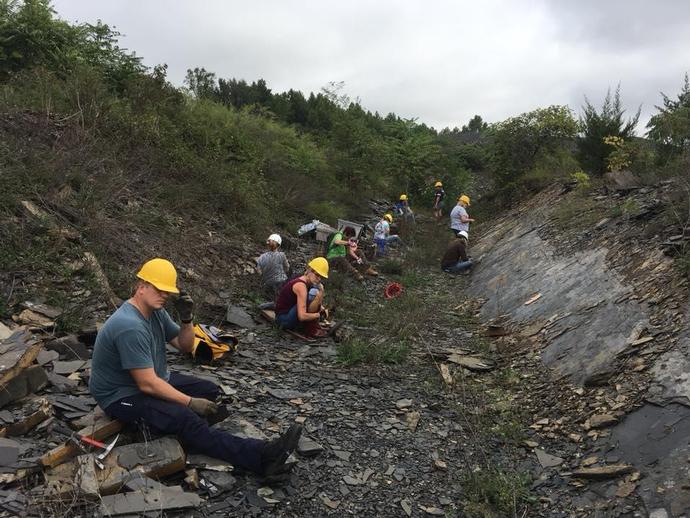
(597, 125)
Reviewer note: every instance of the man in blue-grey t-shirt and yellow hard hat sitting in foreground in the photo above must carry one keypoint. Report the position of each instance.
(131, 382)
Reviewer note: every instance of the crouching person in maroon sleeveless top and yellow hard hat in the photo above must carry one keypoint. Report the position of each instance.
(299, 304)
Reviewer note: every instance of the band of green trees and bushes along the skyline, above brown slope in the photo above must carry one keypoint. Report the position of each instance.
(249, 151)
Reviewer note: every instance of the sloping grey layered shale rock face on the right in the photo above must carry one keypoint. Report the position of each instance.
(594, 292)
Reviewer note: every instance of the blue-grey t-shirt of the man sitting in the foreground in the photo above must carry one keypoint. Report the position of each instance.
(129, 341)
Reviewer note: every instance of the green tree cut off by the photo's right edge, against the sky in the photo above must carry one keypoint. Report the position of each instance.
(670, 128)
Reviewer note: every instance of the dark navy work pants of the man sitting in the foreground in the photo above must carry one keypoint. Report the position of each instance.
(166, 417)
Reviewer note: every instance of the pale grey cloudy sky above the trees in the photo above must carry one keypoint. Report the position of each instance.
(440, 61)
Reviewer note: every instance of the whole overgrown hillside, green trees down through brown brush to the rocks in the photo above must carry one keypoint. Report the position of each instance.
(135, 165)
